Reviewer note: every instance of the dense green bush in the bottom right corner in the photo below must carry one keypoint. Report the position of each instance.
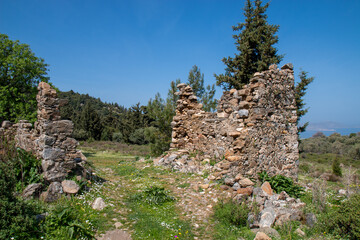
(345, 221)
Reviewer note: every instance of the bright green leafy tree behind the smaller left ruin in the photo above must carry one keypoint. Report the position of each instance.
(20, 73)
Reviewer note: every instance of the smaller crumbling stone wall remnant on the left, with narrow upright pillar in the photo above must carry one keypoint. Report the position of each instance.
(50, 139)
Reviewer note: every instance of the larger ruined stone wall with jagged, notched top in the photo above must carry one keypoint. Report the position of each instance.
(253, 130)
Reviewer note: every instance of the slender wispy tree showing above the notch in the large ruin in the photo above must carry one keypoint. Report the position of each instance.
(205, 95)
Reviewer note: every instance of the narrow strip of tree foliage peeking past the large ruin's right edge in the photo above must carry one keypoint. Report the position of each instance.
(300, 91)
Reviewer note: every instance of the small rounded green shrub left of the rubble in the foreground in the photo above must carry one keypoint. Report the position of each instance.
(231, 213)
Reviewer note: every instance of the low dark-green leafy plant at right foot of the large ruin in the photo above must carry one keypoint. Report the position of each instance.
(281, 183)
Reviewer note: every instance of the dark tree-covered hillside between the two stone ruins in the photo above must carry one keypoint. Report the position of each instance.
(97, 120)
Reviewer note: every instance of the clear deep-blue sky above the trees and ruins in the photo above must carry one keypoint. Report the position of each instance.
(127, 51)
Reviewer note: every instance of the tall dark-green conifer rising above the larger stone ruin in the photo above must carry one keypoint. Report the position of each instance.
(255, 46)
